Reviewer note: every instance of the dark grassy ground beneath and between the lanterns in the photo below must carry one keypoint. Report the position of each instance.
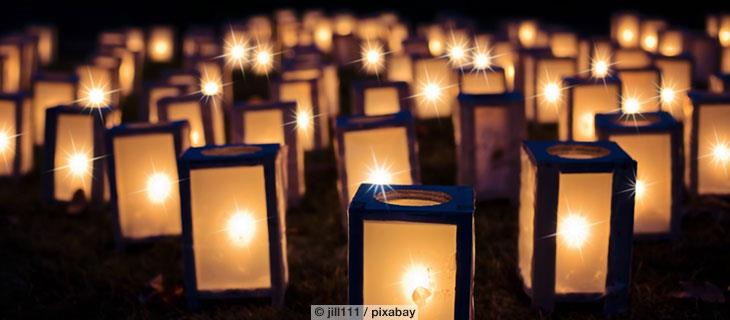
(52, 264)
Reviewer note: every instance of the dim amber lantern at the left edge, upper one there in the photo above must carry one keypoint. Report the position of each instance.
(19, 63)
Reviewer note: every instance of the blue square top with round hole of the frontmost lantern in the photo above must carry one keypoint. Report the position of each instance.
(446, 203)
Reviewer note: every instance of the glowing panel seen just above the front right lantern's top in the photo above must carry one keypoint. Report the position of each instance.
(587, 101)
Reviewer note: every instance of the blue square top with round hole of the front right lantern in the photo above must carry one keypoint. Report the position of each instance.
(600, 156)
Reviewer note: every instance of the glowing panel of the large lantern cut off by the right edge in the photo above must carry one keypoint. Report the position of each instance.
(713, 145)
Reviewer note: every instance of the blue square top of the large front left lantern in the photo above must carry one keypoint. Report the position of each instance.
(227, 155)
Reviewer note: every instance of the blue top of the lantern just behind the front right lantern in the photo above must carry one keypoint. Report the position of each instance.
(649, 122)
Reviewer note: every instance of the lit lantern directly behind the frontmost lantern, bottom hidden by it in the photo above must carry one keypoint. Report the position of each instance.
(380, 150)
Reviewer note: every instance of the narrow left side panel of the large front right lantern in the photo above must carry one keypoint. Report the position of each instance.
(526, 218)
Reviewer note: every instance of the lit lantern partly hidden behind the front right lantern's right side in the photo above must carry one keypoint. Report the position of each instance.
(655, 142)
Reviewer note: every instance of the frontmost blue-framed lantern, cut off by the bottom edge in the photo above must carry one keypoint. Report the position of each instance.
(413, 245)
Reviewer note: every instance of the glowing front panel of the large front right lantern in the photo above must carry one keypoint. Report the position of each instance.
(583, 229)
